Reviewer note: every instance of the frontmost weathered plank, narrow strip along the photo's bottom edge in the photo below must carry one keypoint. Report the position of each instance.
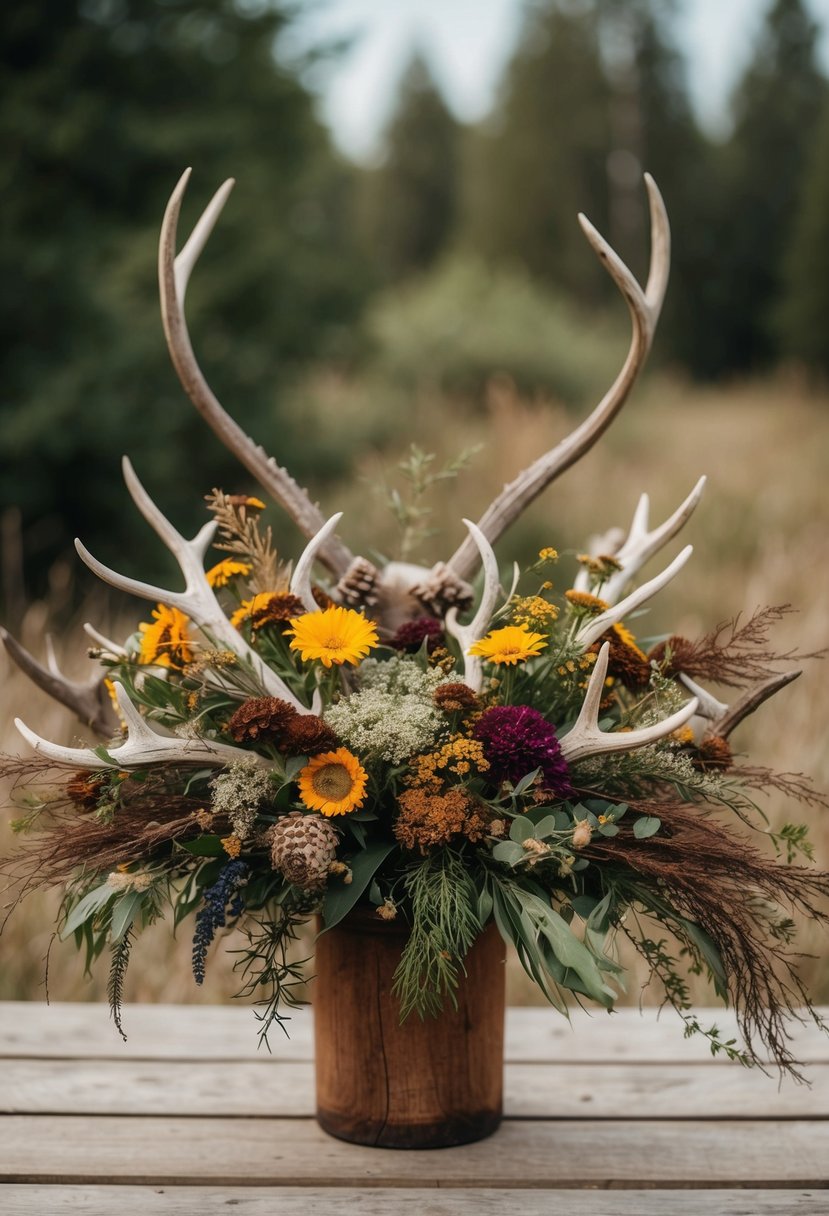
(36, 1201)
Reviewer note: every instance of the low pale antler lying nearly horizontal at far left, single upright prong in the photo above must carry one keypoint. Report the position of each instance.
(142, 747)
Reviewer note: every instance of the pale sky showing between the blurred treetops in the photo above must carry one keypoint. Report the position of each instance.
(467, 44)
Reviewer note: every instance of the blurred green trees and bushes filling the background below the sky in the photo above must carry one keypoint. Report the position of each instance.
(458, 258)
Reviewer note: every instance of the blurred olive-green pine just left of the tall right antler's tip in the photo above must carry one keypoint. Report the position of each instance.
(544, 160)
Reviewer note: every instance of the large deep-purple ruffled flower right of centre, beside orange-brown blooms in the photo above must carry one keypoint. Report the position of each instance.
(518, 740)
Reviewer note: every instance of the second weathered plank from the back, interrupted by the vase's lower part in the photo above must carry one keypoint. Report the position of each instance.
(532, 1091)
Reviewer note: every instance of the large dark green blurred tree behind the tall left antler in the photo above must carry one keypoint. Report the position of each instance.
(106, 104)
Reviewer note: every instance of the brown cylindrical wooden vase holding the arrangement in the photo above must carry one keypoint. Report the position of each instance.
(425, 1084)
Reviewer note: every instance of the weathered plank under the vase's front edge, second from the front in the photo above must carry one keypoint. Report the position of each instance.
(268, 1152)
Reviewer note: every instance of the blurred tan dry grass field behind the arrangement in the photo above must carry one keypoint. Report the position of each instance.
(762, 537)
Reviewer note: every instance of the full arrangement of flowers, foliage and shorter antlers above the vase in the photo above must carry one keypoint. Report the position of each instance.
(281, 746)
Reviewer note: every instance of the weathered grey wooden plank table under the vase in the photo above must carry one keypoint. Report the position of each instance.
(617, 1117)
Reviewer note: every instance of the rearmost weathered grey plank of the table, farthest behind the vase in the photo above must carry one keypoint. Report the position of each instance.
(212, 1033)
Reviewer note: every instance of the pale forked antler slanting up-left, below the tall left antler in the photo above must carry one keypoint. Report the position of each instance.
(199, 600)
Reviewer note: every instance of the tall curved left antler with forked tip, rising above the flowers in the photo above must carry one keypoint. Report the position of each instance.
(173, 277)
